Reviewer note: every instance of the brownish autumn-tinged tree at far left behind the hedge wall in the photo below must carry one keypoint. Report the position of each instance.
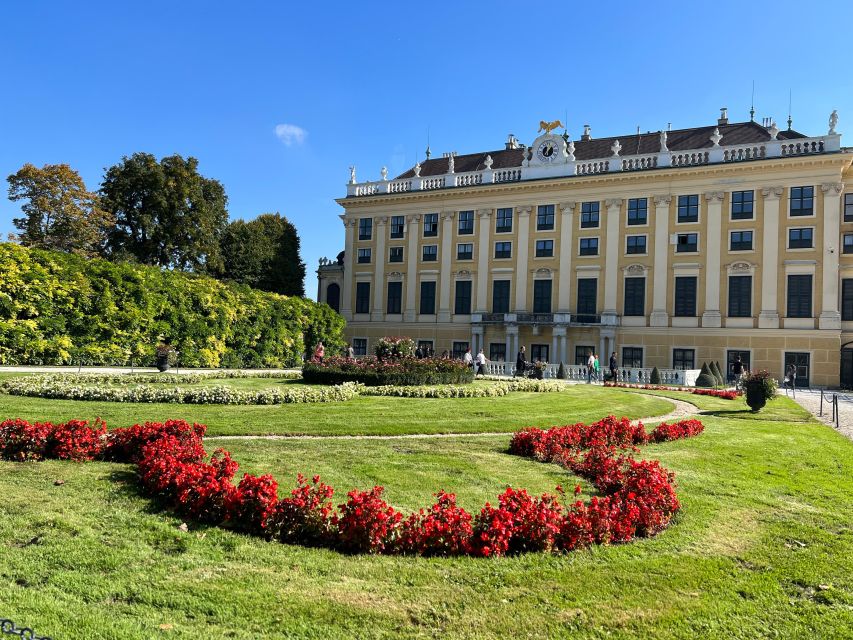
(59, 212)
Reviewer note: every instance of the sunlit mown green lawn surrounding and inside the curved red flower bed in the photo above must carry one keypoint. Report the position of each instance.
(763, 547)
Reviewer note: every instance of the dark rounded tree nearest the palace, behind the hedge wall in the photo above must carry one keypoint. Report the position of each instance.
(264, 253)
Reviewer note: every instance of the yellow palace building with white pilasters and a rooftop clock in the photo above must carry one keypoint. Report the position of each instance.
(672, 248)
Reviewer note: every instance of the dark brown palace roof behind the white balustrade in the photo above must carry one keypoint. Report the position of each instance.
(677, 140)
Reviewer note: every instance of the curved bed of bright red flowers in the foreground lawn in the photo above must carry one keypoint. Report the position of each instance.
(639, 498)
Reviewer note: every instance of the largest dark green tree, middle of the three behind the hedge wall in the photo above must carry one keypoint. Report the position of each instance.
(166, 213)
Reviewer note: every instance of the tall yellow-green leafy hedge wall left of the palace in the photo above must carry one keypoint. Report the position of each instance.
(57, 308)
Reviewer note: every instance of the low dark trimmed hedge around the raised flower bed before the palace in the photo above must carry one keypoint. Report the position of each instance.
(398, 372)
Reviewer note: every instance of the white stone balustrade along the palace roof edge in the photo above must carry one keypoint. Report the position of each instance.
(690, 158)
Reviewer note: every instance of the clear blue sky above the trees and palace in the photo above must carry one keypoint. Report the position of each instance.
(363, 83)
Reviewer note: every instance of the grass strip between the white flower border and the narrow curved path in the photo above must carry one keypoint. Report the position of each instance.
(376, 416)
